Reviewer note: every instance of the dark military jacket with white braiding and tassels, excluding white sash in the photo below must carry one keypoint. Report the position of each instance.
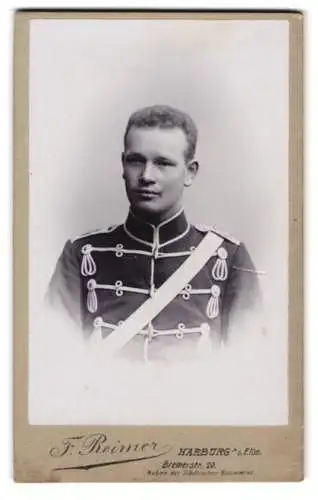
(102, 277)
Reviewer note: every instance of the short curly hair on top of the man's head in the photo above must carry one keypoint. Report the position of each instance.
(165, 117)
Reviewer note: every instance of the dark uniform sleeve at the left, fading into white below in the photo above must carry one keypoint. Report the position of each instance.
(64, 291)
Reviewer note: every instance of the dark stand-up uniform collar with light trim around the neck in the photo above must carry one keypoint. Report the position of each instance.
(164, 233)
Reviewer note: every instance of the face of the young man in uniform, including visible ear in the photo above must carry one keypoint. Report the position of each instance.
(156, 171)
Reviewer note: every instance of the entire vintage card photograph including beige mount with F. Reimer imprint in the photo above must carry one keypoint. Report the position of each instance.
(158, 246)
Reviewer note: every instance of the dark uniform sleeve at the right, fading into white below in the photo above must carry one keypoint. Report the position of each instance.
(243, 303)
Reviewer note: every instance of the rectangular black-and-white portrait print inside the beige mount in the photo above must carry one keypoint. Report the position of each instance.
(158, 222)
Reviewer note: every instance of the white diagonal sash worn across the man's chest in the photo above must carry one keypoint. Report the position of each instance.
(164, 295)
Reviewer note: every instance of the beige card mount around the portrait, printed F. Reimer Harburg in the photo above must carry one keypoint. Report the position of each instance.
(281, 447)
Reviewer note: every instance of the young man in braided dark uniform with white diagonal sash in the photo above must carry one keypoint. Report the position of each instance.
(103, 278)
